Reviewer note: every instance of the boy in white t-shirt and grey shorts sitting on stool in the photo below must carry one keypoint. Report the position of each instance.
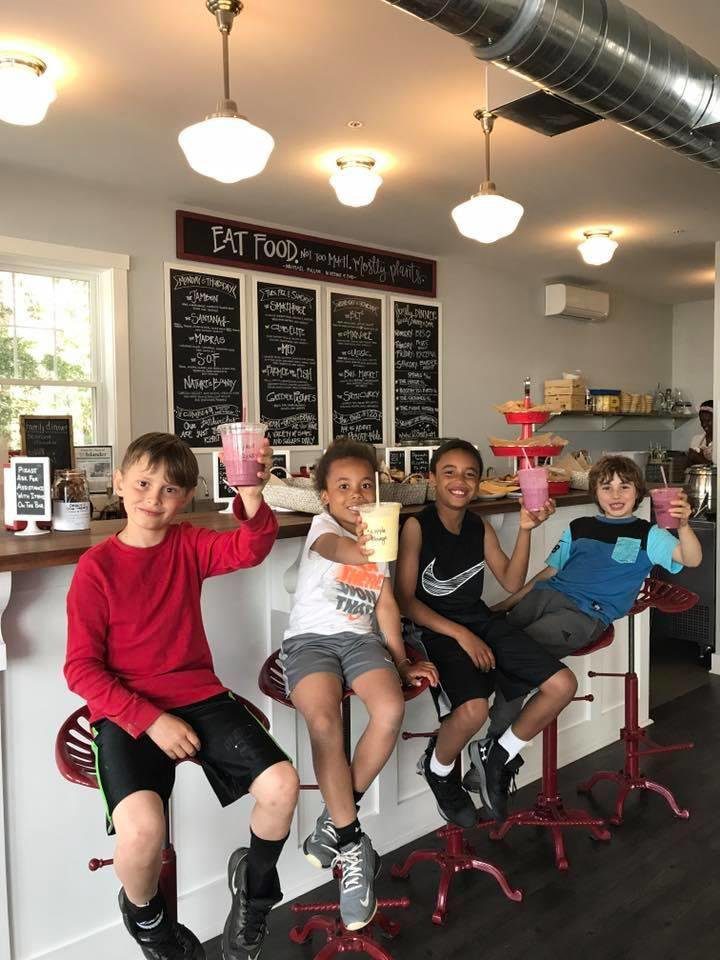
(331, 643)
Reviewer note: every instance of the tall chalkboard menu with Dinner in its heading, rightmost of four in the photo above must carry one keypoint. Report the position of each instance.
(416, 371)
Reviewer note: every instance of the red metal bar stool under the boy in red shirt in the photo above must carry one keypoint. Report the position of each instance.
(76, 762)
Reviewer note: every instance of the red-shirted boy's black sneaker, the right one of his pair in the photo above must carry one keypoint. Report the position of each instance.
(246, 925)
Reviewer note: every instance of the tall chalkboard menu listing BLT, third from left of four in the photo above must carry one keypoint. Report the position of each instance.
(356, 362)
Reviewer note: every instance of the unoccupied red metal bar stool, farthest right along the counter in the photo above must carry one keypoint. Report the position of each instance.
(669, 598)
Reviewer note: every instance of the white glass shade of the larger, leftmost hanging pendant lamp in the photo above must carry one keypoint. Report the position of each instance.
(227, 149)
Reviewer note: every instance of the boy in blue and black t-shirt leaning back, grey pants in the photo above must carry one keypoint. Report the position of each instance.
(592, 578)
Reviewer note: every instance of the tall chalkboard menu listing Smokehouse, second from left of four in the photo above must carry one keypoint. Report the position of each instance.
(287, 357)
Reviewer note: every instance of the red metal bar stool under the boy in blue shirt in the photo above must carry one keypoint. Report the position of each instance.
(549, 810)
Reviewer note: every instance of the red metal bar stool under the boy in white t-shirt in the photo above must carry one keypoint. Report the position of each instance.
(338, 939)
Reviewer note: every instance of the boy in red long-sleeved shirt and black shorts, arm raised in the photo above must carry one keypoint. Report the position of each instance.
(138, 654)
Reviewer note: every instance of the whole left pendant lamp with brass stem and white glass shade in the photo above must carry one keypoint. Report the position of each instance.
(226, 146)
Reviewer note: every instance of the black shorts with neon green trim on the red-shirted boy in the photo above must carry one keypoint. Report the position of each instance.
(234, 749)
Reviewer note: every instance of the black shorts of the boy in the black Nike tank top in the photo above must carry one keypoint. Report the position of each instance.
(521, 664)
